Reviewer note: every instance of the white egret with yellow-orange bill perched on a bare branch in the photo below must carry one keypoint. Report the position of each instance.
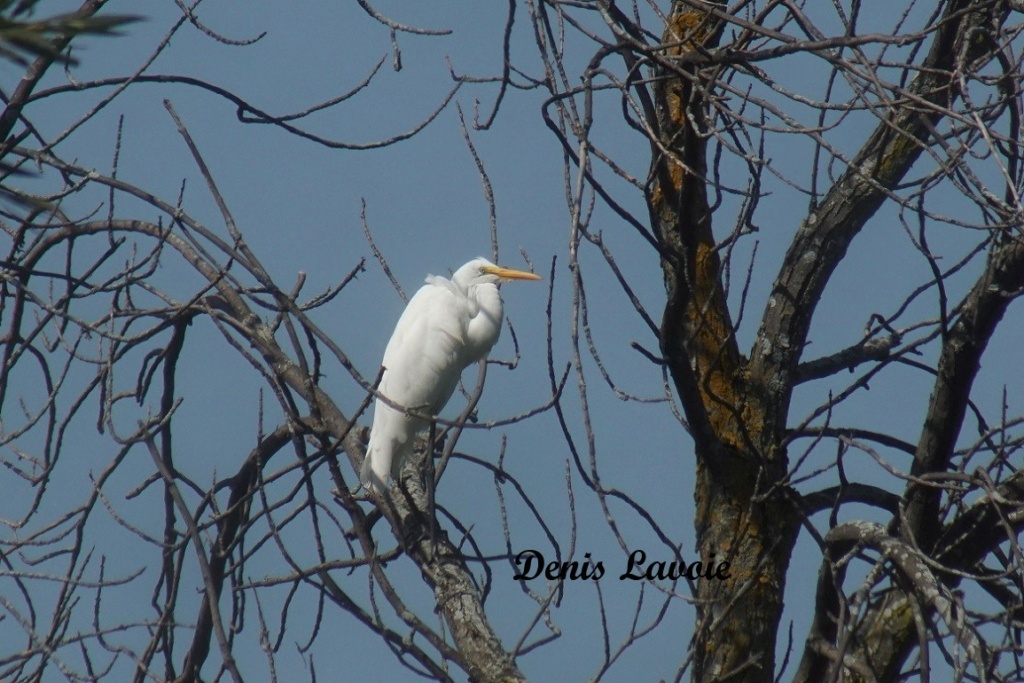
(448, 326)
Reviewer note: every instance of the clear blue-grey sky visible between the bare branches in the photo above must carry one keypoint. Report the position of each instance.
(298, 205)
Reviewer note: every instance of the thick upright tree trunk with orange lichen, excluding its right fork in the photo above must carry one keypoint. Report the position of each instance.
(743, 517)
